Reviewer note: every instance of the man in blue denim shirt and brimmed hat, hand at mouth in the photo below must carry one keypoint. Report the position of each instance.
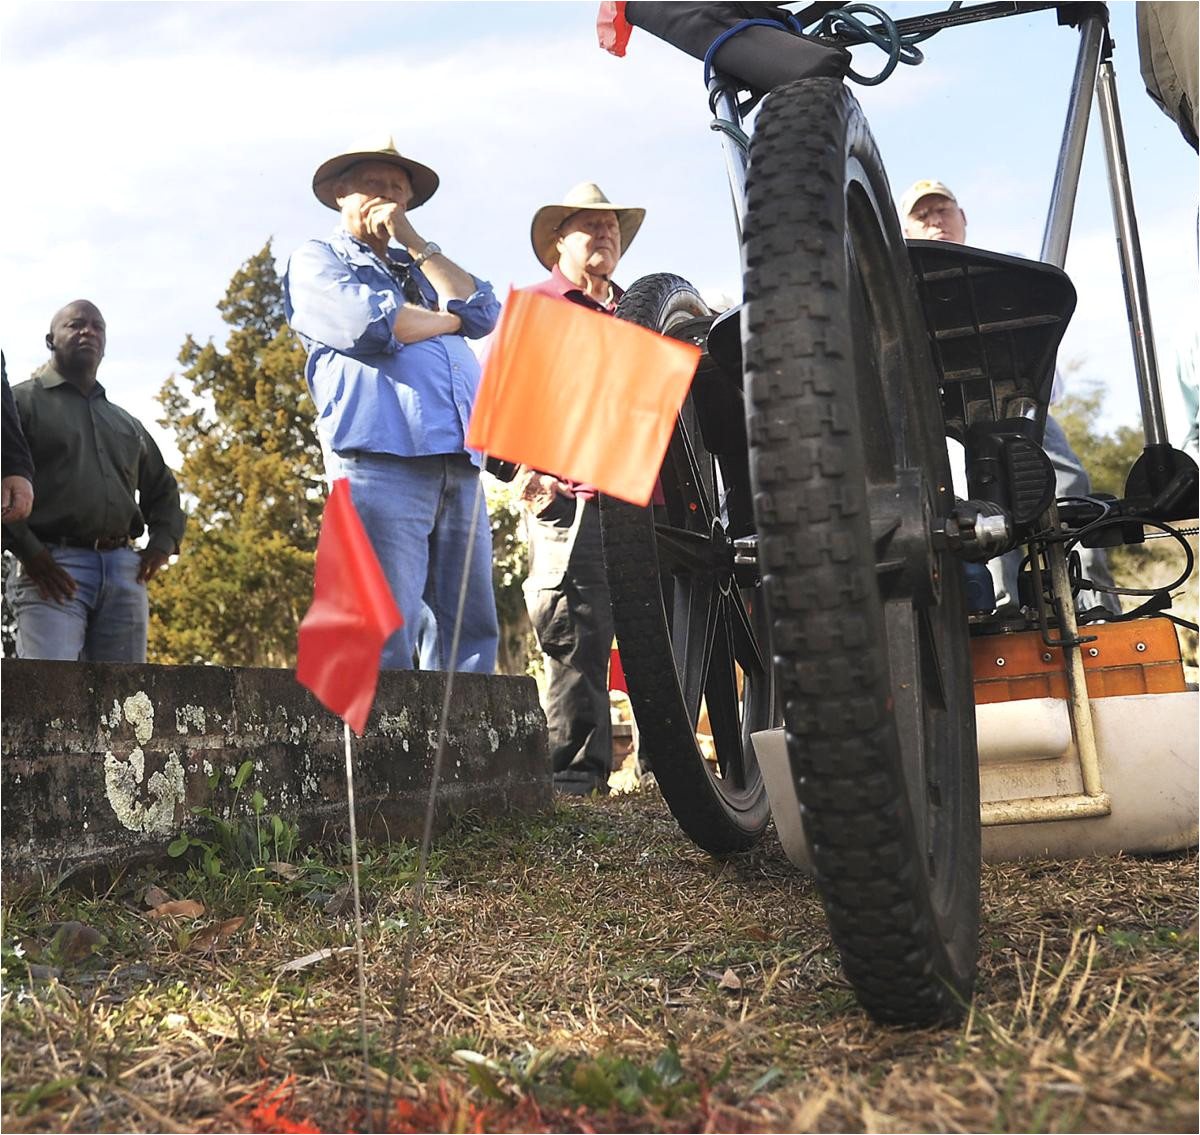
(394, 383)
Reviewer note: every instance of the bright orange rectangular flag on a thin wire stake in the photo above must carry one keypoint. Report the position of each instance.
(581, 395)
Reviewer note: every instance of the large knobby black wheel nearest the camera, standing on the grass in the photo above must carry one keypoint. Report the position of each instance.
(868, 622)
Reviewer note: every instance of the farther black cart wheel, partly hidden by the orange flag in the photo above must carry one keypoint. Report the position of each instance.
(691, 624)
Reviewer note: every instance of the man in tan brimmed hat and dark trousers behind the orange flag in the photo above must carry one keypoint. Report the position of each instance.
(581, 241)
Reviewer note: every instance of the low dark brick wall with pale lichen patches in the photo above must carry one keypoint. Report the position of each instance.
(103, 764)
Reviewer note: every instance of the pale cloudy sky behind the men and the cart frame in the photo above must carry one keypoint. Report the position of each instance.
(151, 148)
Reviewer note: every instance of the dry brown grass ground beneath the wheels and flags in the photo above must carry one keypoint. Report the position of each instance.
(580, 956)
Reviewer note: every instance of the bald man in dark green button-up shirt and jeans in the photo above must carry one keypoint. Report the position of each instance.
(79, 588)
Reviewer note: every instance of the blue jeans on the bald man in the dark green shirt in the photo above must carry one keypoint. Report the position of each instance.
(104, 622)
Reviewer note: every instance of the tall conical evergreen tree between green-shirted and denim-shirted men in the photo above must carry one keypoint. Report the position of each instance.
(253, 481)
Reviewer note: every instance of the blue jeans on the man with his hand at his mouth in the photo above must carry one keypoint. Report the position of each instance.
(418, 513)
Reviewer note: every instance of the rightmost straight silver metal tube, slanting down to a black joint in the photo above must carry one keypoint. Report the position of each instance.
(1133, 273)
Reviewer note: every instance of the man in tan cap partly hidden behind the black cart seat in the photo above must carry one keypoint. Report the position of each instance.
(931, 212)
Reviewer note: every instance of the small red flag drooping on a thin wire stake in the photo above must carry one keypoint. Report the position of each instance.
(352, 615)
